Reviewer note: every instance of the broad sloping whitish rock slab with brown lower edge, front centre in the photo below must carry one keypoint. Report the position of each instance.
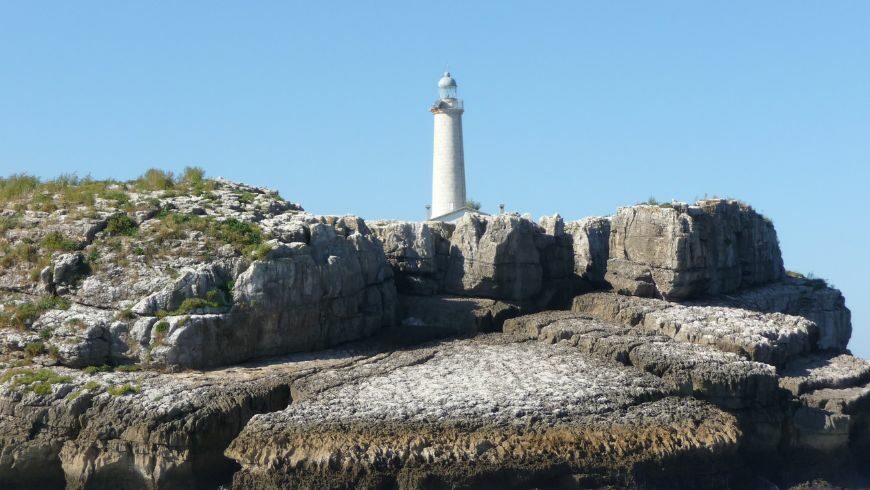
(482, 412)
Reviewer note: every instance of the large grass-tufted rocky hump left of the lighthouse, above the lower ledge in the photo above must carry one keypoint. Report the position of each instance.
(190, 281)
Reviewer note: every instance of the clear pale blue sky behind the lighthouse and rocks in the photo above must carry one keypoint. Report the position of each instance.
(571, 107)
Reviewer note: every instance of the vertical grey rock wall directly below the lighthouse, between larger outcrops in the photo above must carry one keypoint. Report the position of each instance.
(504, 257)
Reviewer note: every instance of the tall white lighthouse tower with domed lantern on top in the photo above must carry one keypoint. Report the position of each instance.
(448, 157)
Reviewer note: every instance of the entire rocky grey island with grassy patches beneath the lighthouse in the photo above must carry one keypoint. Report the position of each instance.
(663, 347)
